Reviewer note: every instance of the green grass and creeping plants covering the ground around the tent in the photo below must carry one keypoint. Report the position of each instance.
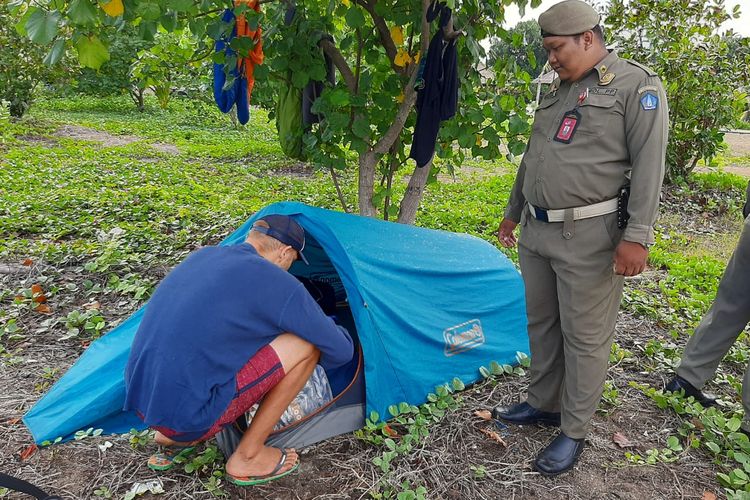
(102, 222)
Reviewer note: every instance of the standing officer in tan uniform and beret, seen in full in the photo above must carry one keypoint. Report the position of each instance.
(602, 125)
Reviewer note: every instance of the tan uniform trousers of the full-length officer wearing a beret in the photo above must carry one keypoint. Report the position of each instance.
(572, 299)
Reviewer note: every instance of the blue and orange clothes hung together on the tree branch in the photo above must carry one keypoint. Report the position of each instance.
(242, 76)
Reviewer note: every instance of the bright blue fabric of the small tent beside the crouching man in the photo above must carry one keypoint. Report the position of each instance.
(427, 305)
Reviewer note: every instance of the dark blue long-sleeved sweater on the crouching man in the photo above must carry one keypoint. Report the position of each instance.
(205, 320)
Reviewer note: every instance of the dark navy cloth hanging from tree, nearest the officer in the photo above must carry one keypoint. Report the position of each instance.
(437, 97)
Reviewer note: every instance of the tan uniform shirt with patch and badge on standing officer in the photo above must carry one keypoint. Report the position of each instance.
(621, 138)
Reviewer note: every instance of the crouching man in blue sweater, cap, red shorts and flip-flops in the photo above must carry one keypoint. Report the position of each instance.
(227, 328)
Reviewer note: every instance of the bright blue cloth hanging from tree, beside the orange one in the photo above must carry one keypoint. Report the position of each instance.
(236, 94)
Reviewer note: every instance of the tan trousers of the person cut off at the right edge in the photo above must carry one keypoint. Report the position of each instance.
(722, 324)
